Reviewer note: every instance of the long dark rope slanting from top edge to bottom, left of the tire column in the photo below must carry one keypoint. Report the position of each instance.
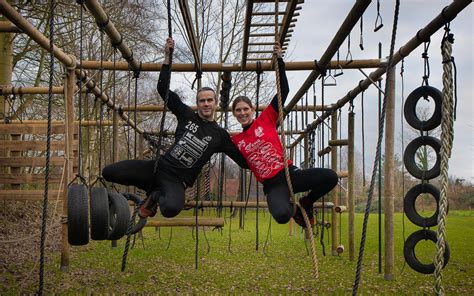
(378, 153)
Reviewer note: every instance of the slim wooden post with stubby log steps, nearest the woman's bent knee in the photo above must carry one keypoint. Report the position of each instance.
(335, 191)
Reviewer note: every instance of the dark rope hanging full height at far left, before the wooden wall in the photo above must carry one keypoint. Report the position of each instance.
(44, 216)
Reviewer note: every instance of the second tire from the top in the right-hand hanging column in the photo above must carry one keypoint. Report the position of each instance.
(409, 158)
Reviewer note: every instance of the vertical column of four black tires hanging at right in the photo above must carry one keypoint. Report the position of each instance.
(424, 175)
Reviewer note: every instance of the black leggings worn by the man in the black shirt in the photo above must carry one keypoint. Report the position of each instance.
(168, 191)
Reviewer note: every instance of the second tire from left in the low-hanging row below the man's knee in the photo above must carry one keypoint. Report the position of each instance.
(99, 205)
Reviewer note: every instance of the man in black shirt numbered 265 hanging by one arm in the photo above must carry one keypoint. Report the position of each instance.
(197, 137)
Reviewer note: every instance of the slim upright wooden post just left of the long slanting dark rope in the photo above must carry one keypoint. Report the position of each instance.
(350, 185)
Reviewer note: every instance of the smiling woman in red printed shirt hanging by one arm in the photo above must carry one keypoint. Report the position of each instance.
(260, 145)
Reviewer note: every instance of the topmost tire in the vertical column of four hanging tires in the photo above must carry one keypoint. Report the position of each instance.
(410, 108)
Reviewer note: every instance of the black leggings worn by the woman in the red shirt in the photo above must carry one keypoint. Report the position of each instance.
(318, 181)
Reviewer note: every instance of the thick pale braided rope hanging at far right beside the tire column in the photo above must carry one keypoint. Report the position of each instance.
(447, 136)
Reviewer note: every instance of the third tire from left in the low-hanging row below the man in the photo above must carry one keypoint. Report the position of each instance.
(119, 216)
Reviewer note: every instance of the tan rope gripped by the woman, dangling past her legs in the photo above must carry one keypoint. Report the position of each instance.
(309, 230)
